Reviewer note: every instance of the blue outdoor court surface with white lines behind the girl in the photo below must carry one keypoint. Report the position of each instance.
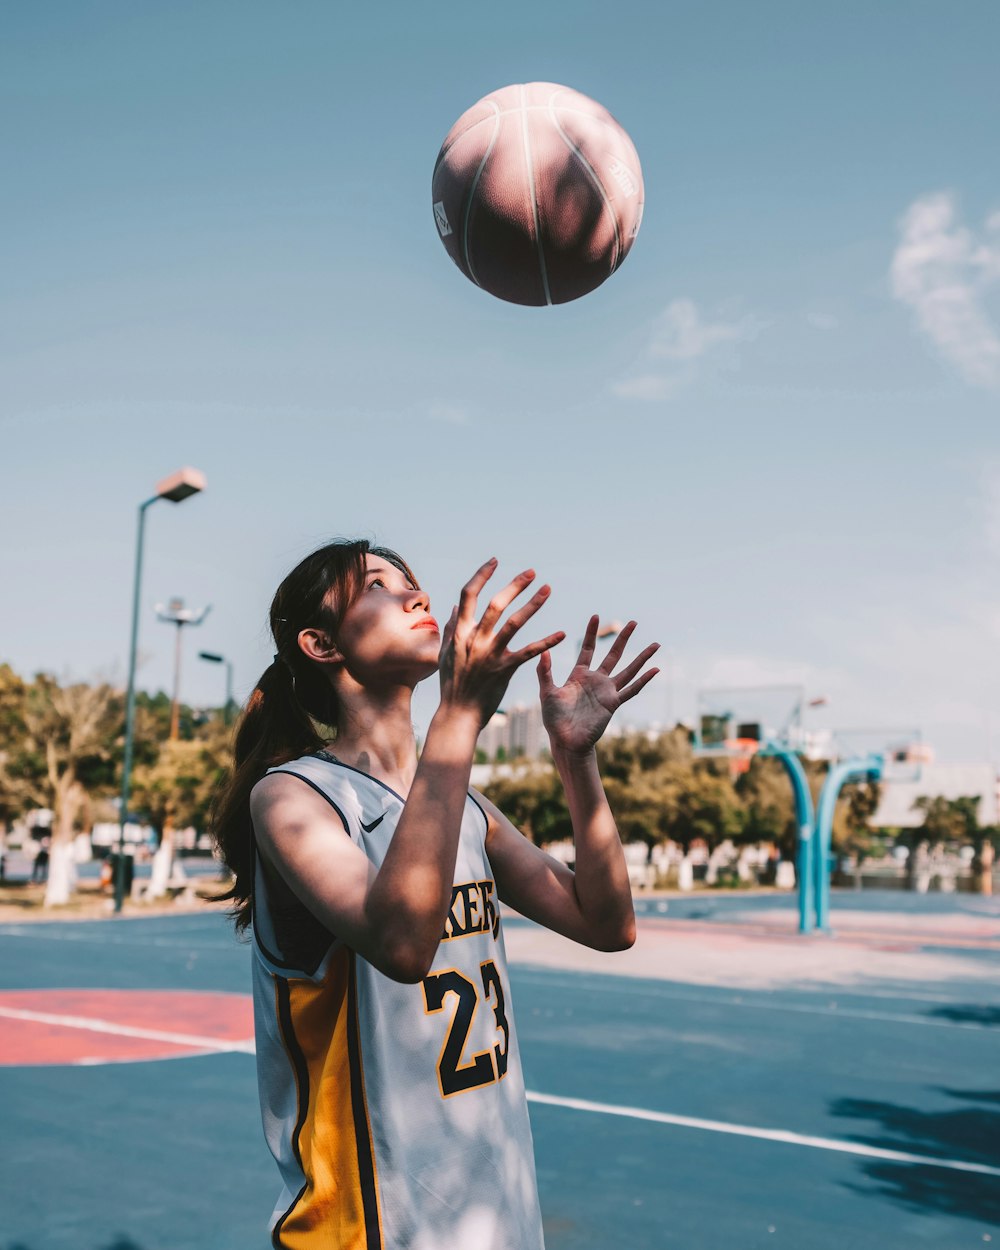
(666, 1113)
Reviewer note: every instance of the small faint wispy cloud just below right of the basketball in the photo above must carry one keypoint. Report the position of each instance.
(683, 337)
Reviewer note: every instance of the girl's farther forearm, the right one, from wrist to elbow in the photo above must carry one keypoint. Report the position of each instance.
(602, 877)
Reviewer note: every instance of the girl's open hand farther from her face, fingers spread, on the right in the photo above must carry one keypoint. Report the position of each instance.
(577, 714)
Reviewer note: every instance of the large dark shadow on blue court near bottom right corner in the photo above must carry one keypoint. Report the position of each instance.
(969, 1133)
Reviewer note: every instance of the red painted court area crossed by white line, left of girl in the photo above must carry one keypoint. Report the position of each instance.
(121, 1027)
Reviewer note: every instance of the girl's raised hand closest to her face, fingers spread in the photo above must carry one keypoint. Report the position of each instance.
(476, 664)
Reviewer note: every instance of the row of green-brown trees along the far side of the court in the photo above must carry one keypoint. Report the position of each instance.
(62, 749)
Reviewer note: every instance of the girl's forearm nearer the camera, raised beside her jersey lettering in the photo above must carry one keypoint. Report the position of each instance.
(409, 898)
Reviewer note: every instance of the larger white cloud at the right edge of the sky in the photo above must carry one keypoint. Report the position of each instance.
(942, 271)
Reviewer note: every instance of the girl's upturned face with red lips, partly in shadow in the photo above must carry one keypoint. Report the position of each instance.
(388, 634)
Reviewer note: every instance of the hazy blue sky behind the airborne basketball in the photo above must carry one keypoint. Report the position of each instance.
(772, 437)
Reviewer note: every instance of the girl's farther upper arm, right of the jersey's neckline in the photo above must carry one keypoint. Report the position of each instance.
(531, 881)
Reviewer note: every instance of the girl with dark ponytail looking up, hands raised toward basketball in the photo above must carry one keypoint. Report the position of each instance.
(391, 1083)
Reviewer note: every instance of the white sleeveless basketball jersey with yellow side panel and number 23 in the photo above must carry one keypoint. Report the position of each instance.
(397, 1113)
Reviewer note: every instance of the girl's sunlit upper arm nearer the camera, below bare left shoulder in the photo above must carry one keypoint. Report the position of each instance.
(303, 838)
